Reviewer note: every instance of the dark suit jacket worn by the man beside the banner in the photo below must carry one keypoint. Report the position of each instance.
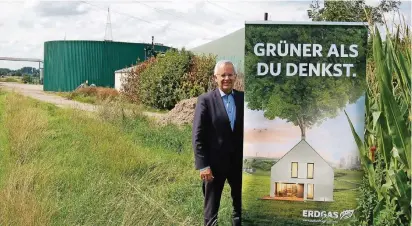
(214, 142)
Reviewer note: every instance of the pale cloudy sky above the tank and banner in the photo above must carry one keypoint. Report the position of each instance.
(26, 25)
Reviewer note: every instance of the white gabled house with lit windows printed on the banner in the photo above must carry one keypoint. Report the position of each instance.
(302, 175)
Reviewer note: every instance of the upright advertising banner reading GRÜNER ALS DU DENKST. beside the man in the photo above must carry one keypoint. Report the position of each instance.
(301, 162)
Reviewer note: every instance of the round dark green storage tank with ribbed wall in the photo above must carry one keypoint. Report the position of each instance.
(67, 64)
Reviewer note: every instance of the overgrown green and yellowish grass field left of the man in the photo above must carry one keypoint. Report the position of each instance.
(67, 167)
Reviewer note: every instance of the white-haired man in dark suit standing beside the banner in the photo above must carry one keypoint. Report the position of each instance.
(218, 142)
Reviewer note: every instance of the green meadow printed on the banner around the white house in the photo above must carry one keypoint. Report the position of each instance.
(271, 212)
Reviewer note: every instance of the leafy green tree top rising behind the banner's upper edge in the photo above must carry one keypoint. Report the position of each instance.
(351, 10)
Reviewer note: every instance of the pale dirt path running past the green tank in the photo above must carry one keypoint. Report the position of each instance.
(36, 92)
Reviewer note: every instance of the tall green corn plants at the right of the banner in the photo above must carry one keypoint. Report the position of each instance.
(386, 152)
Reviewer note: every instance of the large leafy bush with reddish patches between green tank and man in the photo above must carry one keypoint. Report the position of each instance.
(177, 75)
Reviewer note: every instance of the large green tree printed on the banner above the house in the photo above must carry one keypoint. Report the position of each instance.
(303, 101)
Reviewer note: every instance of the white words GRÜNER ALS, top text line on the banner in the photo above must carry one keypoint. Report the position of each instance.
(306, 50)
